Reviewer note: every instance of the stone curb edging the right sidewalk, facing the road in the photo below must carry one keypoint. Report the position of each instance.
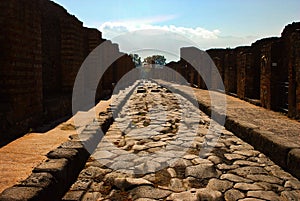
(283, 152)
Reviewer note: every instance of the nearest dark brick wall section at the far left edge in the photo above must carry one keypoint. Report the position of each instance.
(20, 67)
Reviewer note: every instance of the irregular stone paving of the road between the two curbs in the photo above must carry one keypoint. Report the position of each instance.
(161, 147)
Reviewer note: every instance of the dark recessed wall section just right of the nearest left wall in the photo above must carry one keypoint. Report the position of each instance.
(55, 102)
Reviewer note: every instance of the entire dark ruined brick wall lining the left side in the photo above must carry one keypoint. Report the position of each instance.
(42, 48)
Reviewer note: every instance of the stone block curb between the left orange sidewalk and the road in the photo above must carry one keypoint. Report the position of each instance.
(52, 179)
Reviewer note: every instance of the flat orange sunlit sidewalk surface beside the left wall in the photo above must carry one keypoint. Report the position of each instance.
(20, 157)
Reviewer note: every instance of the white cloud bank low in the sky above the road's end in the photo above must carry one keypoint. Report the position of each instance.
(143, 37)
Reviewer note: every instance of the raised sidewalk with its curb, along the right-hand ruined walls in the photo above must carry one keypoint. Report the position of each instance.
(270, 132)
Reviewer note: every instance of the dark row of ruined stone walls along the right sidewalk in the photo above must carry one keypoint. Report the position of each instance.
(266, 73)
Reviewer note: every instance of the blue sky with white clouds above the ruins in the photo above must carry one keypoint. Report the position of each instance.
(163, 26)
